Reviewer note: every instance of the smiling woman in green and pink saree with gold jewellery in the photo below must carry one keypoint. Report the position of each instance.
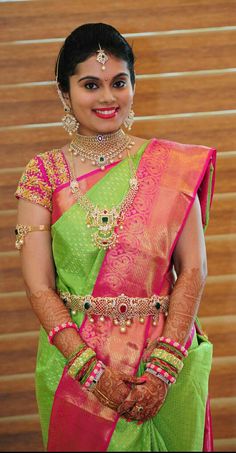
(116, 266)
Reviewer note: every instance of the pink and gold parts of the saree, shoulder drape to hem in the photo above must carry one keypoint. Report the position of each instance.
(170, 176)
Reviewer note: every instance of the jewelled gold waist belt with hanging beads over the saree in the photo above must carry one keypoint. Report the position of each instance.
(121, 309)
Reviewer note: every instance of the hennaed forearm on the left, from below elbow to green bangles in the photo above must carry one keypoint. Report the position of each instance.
(51, 312)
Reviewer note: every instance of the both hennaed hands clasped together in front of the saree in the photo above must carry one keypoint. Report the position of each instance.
(135, 398)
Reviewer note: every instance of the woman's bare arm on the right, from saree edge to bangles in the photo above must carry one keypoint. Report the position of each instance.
(190, 263)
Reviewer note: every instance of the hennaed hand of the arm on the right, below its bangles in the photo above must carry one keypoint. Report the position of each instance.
(144, 401)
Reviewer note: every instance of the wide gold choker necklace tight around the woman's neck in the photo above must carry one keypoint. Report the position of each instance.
(100, 149)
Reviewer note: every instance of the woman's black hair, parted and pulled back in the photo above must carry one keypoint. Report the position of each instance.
(83, 42)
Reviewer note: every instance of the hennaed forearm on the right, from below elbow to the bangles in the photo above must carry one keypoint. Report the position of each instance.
(184, 304)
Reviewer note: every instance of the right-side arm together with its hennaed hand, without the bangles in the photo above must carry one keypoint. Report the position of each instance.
(191, 268)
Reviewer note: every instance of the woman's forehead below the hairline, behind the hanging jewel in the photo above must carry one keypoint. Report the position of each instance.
(92, 67)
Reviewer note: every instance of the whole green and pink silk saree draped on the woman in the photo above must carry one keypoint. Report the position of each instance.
(139, 266)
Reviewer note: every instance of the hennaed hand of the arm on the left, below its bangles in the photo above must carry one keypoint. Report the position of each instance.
(113, 387)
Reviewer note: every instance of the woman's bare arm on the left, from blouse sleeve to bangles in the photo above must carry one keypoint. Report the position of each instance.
(39, 277)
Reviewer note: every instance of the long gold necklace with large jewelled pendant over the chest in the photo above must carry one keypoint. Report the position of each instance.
(105, 219)
